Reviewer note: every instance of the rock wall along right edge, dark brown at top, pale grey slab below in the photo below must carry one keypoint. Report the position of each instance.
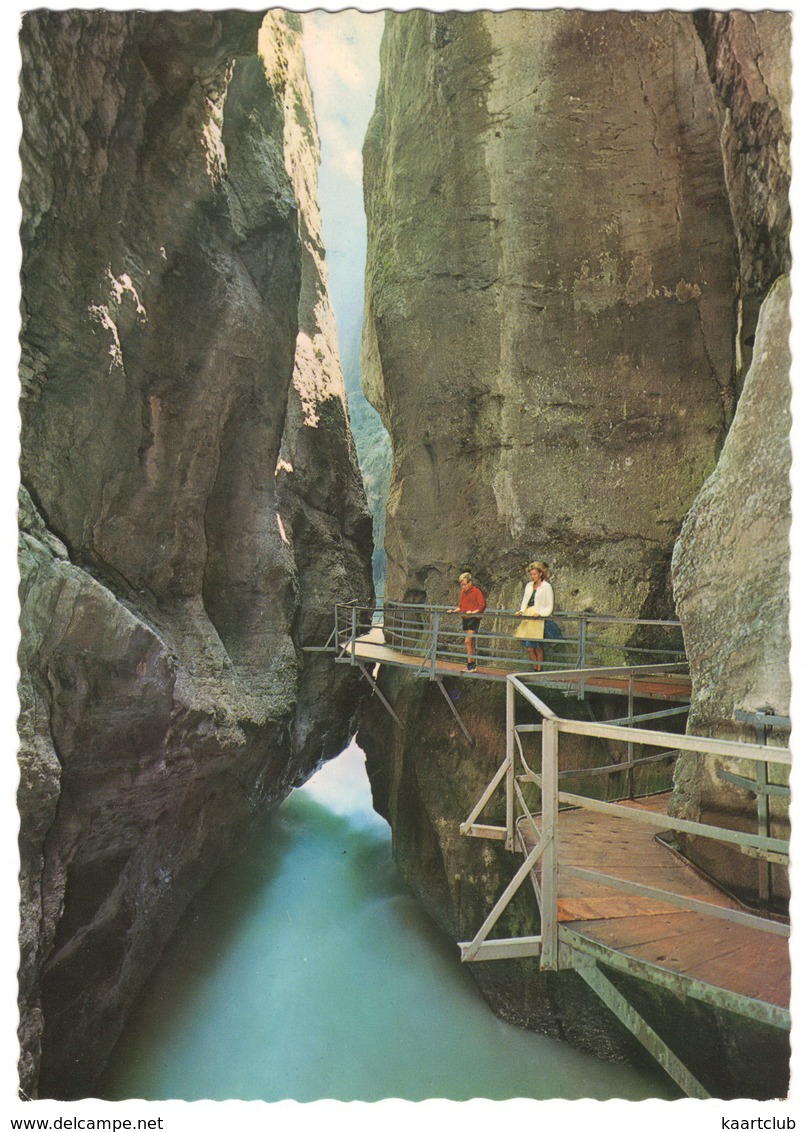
(731, 563)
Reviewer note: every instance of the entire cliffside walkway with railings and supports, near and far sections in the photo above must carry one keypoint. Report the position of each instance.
(613, 897)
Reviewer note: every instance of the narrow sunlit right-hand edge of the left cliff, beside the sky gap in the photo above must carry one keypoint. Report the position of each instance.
(321, 493)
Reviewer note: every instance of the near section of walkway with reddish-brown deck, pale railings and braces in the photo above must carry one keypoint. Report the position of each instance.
(615, 899)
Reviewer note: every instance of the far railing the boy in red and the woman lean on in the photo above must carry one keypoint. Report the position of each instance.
(435, 637)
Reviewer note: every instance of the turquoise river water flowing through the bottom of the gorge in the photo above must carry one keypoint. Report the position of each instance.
(305, 971)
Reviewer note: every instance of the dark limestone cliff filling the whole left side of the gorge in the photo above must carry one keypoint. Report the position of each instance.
(187, 473)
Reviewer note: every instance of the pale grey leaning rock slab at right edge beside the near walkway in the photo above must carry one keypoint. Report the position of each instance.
(732, 581)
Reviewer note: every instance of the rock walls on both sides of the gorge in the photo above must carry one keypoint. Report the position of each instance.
(576, 333)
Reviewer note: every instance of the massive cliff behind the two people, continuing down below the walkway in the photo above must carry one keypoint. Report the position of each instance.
(563, 258)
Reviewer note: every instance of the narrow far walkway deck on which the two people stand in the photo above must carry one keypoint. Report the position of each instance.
(373, 649)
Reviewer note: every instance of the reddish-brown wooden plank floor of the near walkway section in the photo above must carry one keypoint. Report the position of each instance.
(711, 953)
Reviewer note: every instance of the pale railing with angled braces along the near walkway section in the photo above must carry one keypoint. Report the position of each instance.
(516, 773)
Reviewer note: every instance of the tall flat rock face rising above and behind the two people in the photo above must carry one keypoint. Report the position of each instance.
(551, 299)
